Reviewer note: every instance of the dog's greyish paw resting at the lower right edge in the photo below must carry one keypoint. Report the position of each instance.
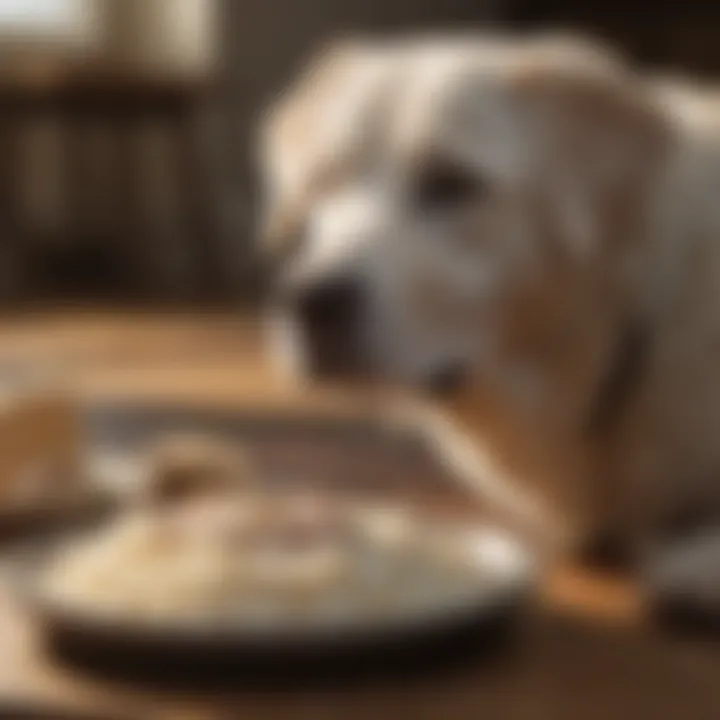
(682, 581)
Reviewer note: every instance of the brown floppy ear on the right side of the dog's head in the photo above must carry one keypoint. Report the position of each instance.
(603, 141)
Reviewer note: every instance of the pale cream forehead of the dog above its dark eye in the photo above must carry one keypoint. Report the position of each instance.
(395, 104)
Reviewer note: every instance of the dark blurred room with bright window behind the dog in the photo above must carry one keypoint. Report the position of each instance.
(125, 163)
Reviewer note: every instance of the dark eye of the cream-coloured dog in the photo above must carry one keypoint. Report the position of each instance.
(442, 186)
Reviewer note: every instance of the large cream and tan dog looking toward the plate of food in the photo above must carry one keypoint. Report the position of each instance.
(532, 231)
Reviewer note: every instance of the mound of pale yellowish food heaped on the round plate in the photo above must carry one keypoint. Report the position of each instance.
(270, 562)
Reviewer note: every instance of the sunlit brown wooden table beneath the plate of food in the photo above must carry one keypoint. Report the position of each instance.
(588, 653)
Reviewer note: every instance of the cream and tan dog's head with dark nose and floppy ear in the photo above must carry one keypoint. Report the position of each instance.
(431, 204)
